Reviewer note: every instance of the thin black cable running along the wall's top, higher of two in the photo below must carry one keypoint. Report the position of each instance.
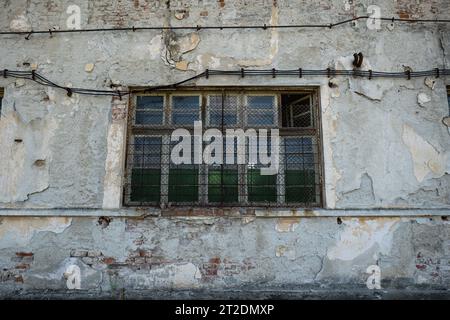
(198, 27)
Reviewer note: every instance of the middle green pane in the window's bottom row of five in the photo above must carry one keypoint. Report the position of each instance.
(226, 192)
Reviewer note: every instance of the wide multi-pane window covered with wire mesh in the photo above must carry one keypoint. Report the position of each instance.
(235, 177)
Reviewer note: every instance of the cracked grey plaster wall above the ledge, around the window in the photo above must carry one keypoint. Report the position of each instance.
(394, 122)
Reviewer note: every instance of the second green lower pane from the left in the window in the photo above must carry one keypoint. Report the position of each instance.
(183, 185)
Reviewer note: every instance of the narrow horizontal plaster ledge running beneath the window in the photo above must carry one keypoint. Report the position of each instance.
(259, 213)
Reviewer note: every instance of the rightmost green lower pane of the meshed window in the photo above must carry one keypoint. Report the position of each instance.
(300, 186)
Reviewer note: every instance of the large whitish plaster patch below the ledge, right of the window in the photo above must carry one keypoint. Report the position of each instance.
(361, 235)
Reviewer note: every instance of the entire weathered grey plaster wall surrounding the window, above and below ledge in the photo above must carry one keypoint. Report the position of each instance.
(385, 146)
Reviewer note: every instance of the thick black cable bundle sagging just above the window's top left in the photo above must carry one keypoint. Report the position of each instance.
(299, 73)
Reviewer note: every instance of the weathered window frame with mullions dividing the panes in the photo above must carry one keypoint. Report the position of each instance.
(166, 129)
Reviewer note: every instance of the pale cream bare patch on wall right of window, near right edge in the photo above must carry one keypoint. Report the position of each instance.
(425, 157)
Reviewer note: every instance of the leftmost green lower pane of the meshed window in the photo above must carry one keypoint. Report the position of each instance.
(145, 185)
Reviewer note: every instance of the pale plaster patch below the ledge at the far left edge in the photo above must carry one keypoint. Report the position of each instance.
(18, 231)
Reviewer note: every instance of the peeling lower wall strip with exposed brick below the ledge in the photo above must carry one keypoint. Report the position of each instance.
(224, 257)
